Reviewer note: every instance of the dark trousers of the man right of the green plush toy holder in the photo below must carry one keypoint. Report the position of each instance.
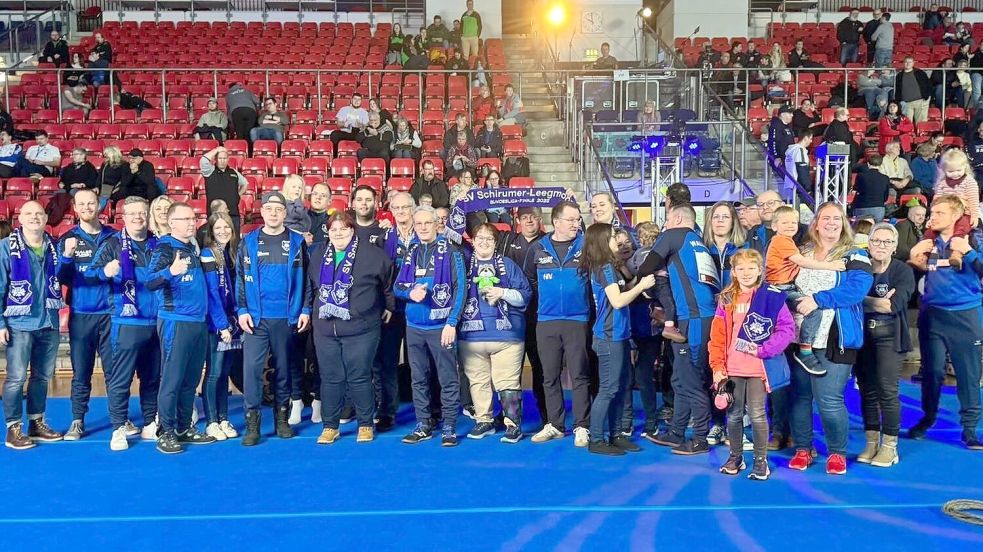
(565, 343)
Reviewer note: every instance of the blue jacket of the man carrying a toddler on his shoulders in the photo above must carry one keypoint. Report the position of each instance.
(950, 289)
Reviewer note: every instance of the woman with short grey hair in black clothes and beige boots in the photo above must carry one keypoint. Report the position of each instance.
(886, 340)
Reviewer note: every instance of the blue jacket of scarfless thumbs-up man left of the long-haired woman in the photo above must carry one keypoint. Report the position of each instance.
(182, 298)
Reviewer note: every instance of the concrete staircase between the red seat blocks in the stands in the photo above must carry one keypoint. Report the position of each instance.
(550, 159)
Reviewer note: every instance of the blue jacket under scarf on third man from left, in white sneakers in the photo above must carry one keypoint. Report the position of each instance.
(146, 300)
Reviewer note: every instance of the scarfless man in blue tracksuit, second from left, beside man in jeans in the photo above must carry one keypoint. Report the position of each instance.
(89, 323)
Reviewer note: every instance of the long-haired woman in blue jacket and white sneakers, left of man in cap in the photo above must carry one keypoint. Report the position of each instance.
(225, 347)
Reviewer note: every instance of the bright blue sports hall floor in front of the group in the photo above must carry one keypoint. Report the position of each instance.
(482, 495)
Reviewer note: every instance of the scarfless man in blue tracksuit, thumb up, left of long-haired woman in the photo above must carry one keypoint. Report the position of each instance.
(178, 279)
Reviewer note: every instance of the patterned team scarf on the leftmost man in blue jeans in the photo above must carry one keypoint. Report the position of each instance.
(20, 293)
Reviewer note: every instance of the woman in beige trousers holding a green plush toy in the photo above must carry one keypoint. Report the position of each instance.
(492, 335)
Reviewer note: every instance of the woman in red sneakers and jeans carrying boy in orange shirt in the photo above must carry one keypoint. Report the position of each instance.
(830, 239)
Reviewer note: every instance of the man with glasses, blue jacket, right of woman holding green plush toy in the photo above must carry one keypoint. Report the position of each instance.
(552, 264)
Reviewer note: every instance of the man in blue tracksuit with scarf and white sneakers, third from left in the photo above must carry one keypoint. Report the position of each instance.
(123, 261)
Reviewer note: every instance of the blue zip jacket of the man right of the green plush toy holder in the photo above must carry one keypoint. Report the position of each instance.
(564, 293)
